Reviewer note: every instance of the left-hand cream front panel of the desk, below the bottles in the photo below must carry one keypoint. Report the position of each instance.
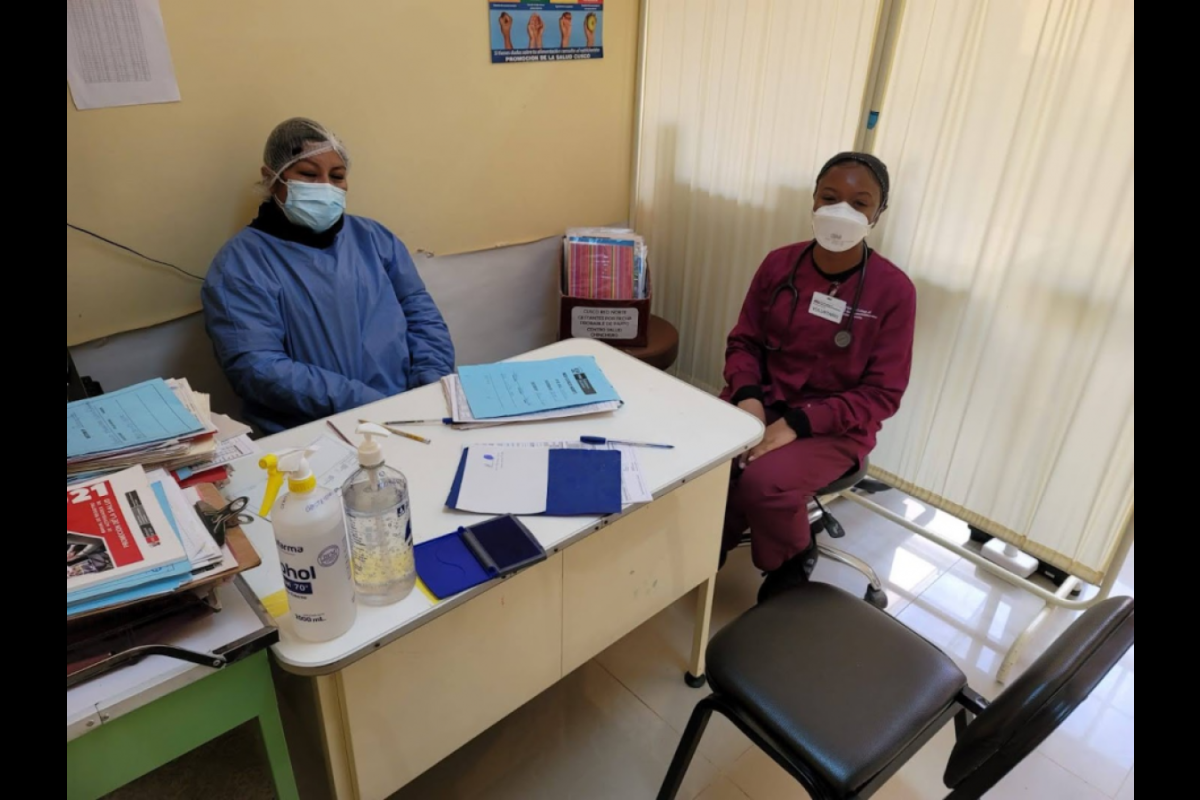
(419, 700)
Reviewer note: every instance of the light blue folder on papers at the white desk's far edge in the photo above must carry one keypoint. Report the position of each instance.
(530, 392)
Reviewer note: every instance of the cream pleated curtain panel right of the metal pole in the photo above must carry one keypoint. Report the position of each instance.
(1010, 125)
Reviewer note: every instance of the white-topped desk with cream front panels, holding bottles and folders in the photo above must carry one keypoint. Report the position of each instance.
(412, 684)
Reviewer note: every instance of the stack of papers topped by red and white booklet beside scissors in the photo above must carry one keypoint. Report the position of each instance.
(134, 537)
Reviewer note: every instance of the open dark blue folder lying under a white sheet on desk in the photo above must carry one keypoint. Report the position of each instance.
(581, 484)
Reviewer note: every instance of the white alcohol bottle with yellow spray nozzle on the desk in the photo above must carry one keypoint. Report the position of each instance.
(310, 533)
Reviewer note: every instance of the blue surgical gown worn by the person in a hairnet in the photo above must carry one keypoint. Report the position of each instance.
(304, 334)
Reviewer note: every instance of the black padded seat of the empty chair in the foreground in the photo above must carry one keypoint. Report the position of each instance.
(837, 682)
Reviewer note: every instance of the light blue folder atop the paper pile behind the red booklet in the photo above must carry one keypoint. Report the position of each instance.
(133, 418)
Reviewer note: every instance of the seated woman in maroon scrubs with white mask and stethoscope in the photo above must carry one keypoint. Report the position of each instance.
(823, 354)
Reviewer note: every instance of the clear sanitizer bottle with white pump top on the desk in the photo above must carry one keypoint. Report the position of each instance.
(381, 526)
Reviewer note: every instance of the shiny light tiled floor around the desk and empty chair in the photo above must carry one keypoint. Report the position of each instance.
(609, 732)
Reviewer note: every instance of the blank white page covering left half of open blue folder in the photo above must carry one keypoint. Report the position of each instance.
(506, 480)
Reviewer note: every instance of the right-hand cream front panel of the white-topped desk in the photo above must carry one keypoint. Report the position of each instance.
(622, 578)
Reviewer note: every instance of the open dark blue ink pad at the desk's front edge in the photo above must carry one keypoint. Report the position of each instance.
(472, 557)
